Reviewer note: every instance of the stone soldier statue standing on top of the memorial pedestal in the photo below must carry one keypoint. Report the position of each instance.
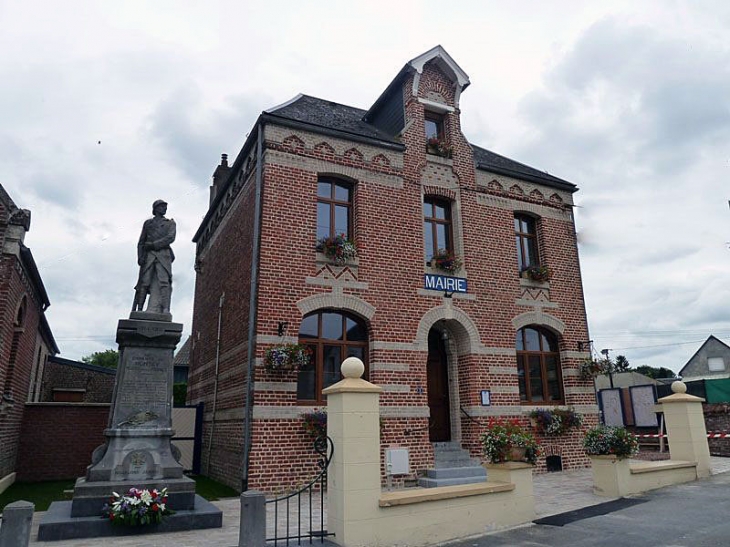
(155, 257)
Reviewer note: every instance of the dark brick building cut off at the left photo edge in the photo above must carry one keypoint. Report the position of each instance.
(25, 337)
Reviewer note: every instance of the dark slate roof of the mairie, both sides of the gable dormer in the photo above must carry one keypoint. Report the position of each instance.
(339, 118)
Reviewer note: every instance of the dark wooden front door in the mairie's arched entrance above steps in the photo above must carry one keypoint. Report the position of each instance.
(438, 389)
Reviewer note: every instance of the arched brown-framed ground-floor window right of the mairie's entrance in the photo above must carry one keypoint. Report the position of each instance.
(538, 366)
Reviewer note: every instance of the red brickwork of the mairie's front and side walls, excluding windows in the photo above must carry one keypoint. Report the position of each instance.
(388, 230)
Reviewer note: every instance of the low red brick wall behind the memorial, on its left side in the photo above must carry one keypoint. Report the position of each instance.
(58, 438)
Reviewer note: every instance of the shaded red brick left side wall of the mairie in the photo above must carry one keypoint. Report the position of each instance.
(223, 268)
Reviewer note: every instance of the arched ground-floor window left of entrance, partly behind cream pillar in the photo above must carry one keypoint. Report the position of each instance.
(333, 337)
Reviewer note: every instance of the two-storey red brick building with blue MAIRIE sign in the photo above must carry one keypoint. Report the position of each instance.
(402, 182)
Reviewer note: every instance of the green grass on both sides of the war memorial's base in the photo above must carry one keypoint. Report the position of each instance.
(43, 493)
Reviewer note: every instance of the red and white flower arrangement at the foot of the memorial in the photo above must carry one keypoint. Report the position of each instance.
(137, 507)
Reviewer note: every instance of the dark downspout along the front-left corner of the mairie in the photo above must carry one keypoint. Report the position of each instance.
(253, 302)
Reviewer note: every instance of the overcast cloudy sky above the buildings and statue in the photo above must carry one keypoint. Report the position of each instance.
(107, 106)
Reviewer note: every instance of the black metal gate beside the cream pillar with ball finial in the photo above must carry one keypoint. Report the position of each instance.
(300, 519)
